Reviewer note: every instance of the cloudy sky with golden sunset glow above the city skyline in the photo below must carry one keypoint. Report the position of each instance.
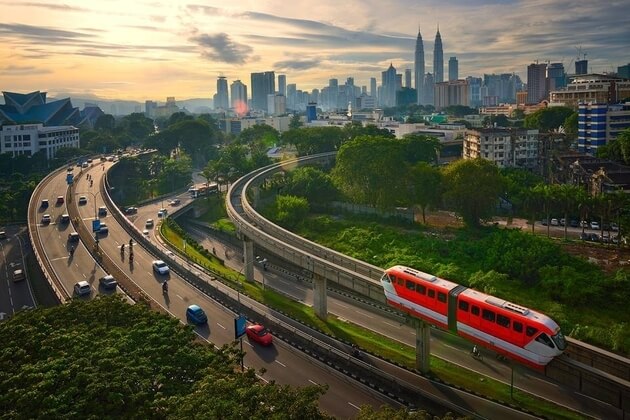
(143, 49)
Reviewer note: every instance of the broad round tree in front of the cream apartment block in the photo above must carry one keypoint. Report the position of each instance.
(473, 187)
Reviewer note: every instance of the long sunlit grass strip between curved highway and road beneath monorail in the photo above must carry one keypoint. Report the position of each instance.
(368, 340)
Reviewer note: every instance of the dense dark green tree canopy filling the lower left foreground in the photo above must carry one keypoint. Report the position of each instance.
(107, 359)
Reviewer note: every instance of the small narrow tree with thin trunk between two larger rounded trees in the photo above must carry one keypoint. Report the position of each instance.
(425, 186)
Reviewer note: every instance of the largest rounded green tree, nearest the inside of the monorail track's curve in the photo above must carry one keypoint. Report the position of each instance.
(372, 170)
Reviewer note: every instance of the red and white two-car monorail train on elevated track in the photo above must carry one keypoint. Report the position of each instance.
(522, 334)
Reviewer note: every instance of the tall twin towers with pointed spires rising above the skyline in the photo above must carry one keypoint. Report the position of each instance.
(424, 82)
